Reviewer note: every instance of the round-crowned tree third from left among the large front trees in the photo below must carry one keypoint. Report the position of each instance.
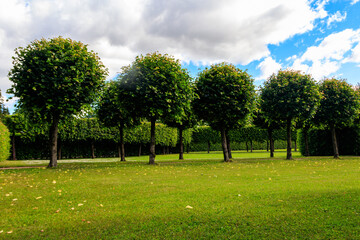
(226, 95)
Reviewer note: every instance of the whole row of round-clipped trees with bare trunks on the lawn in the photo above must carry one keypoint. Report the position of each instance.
(56, 79)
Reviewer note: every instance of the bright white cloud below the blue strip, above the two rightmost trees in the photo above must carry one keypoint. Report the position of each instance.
(327, 58)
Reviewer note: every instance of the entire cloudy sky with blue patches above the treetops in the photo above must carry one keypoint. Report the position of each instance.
(320, 37)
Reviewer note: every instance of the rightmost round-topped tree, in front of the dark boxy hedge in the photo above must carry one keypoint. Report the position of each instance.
(339, 107)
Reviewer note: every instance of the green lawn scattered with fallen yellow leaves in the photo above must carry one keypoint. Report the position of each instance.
(199, 198)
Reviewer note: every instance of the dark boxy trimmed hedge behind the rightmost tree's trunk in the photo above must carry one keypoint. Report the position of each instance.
(320, 143)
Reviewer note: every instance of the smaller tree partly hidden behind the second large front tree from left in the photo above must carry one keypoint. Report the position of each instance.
(115, 110)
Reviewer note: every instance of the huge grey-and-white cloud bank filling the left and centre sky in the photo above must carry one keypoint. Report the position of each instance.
(200, 31)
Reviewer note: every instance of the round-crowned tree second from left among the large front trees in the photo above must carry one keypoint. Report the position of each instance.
(159, 87)
